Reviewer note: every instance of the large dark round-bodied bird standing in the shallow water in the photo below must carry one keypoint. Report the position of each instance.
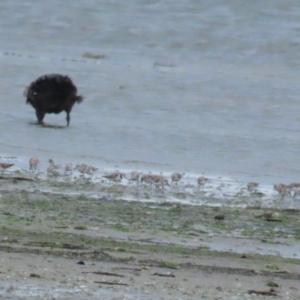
(52, 93)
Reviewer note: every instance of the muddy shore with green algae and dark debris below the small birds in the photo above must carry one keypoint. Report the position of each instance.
(63, 246)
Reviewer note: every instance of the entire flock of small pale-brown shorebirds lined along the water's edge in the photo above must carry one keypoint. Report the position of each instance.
(157, 180)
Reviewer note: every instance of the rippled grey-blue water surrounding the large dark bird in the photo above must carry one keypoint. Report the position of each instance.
(193, 86)
